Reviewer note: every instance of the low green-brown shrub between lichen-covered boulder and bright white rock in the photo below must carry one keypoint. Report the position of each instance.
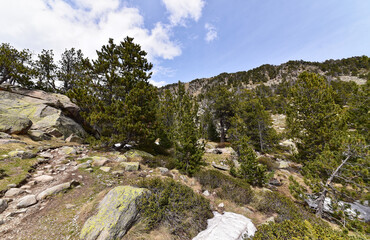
(175, 206)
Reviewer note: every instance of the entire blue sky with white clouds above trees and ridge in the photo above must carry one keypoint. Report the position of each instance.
(188, 39)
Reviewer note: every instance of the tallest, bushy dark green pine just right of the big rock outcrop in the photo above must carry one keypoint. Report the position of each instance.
(117, 97)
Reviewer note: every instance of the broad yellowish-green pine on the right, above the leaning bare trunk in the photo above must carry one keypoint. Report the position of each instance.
(312, 117)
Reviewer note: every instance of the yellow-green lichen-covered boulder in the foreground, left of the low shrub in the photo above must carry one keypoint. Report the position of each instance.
(116, 214)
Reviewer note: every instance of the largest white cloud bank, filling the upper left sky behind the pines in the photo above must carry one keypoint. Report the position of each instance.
(86, 24)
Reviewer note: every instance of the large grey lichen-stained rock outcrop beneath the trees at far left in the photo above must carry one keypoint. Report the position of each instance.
(42, 113)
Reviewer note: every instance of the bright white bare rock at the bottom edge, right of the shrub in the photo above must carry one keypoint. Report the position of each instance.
(227, 226)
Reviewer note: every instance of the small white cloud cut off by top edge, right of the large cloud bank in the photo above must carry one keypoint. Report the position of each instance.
(180, 10)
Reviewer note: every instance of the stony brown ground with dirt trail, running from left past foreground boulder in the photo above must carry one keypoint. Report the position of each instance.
(66, 181)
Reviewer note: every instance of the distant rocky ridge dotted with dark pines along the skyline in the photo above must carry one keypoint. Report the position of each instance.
(355, 69)
